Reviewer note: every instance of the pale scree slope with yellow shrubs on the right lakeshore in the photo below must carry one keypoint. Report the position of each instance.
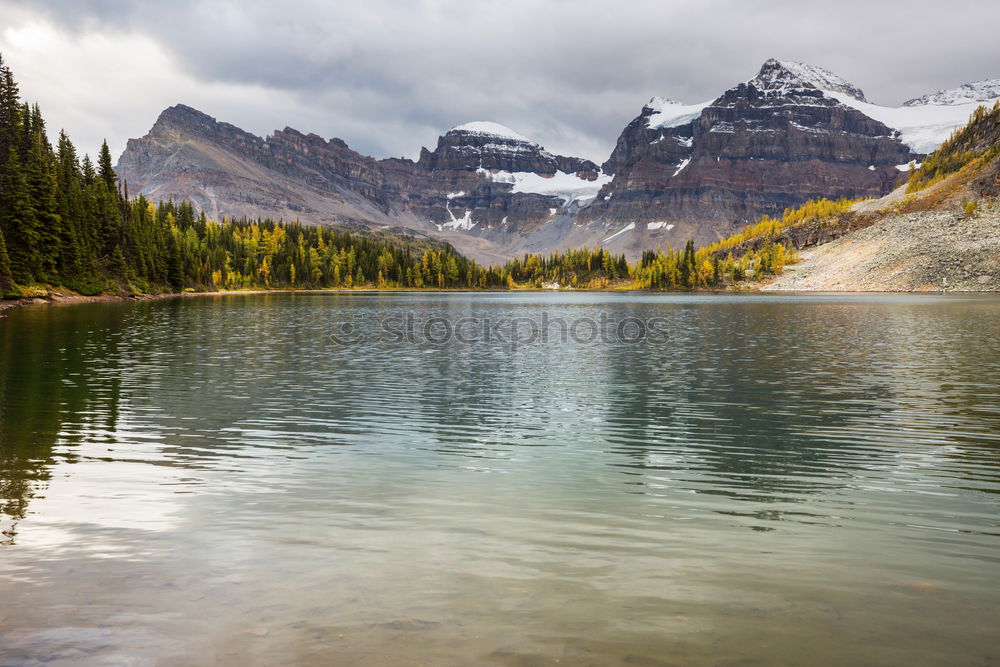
(940, 233)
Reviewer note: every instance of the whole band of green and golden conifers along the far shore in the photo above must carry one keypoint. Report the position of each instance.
(65, 221)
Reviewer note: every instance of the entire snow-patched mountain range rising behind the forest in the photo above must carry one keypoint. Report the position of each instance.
(678, 171)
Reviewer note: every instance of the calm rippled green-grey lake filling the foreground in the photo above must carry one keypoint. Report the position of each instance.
(784, 480)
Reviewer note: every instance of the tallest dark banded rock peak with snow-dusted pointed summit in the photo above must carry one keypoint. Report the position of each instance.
(764, 145)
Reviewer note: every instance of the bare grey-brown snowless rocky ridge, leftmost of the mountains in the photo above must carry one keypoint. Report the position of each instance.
(226, 171)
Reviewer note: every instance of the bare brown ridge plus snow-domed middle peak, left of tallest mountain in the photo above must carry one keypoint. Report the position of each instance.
(484, 188)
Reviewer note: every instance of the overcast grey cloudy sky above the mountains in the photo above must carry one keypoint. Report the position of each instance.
(389, 76)
